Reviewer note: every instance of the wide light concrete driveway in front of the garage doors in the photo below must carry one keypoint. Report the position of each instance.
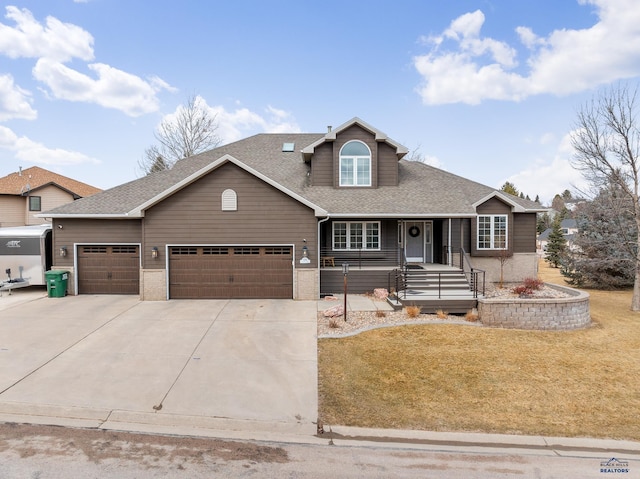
(117, 360)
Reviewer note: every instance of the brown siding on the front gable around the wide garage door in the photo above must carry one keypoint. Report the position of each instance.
(194, 215)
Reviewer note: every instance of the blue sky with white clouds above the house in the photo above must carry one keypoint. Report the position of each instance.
(487, 89)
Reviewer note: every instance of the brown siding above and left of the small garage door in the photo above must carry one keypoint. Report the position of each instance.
(91, 231)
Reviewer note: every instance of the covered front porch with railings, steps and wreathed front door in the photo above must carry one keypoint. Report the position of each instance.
(419, 261)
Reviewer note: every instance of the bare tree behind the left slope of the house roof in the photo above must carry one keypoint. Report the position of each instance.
(189, 131)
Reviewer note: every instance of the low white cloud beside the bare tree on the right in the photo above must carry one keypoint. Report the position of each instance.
(547, 179)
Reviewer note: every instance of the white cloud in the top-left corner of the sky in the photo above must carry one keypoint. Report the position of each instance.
(30, 39)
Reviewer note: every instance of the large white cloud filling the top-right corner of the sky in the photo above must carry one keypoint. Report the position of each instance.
(566, 61)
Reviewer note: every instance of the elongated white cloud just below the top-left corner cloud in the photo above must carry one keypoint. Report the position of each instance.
(112, 88)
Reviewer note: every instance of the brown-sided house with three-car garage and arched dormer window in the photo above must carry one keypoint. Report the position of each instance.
(277, 215)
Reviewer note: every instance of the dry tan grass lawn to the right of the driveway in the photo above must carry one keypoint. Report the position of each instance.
(455, 378)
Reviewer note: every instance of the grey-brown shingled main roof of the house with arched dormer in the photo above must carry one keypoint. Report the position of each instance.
(423, 191)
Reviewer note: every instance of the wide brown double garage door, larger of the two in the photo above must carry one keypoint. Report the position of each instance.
(213, 272)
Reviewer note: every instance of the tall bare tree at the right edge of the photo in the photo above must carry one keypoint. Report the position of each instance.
(607, 151)
